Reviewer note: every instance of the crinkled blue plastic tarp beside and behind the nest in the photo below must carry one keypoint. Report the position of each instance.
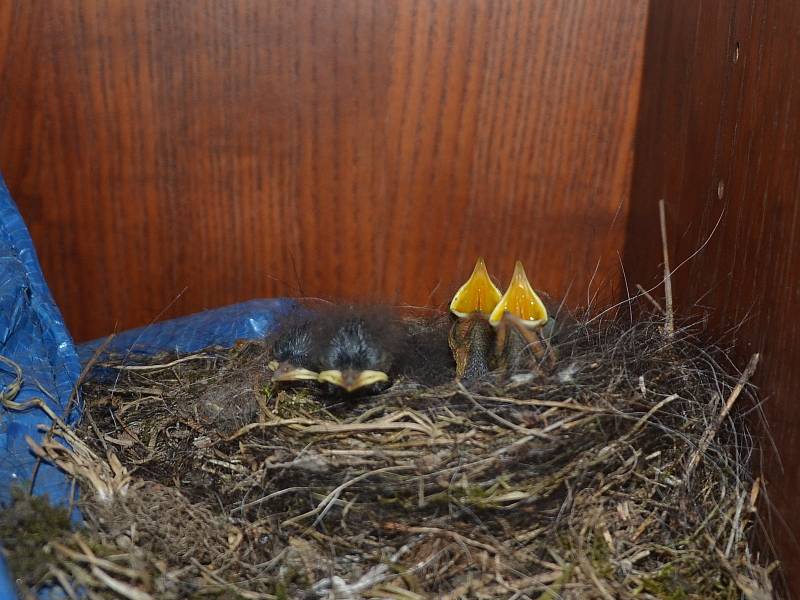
(33, 334)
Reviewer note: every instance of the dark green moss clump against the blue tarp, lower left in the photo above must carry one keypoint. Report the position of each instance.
(27, 524)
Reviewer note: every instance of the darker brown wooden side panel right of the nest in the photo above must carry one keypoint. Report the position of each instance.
(719, 140)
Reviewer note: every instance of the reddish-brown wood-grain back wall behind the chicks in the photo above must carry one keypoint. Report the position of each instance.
(218, 151)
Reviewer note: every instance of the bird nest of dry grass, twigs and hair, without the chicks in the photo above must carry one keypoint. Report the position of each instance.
(622, 472)
